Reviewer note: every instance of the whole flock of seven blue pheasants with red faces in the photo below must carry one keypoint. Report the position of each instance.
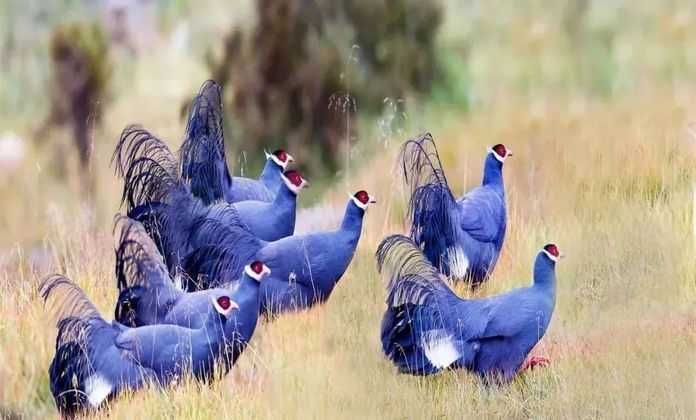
(202, 255)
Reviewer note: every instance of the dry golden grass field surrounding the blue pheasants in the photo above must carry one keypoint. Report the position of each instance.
(609, 177)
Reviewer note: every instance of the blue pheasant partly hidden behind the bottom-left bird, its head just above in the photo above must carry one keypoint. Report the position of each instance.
(148, 295)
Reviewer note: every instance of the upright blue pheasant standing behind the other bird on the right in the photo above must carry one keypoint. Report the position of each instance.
(461, 237)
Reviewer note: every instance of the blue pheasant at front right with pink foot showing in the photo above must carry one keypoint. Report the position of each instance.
(428, 328)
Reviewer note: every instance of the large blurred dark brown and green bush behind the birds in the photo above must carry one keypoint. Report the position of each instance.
(299, 76)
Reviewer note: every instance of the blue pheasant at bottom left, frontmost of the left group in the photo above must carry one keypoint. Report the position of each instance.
(96, 360)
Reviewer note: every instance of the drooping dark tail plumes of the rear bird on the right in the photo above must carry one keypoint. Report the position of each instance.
(431, 205)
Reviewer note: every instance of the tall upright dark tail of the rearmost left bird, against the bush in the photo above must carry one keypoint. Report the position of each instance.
(202, 153)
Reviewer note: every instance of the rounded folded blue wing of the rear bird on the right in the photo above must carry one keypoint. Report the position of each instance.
(481, 214)
